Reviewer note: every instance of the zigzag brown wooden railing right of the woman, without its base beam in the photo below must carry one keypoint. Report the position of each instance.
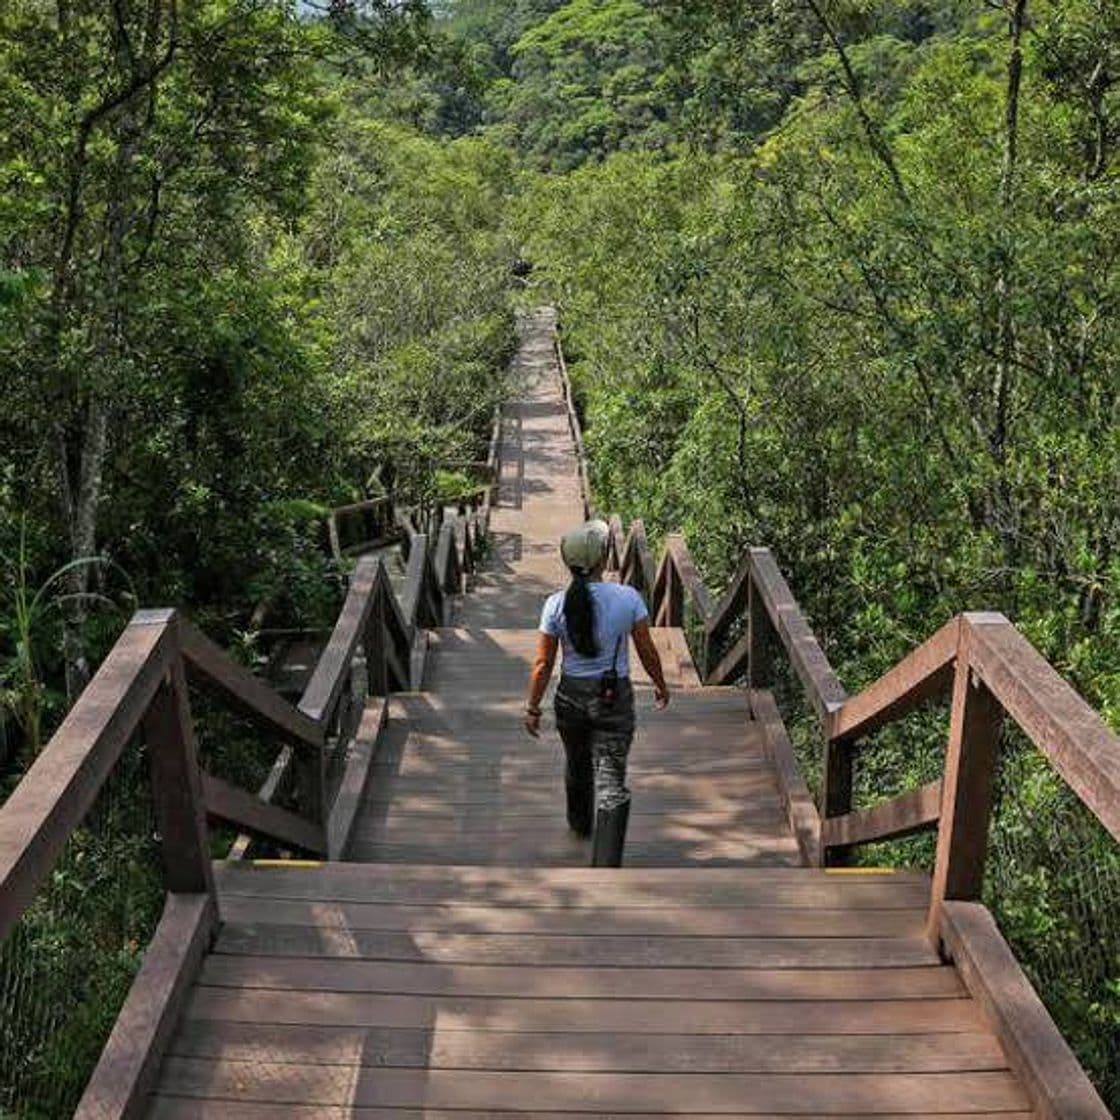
(984, 649)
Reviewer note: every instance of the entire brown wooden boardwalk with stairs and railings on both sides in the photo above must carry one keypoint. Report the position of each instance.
(450, 955)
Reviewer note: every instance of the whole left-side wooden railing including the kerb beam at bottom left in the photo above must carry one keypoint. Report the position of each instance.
(142, 687)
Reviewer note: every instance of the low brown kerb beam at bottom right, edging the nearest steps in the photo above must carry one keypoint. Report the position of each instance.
(1057, 1085)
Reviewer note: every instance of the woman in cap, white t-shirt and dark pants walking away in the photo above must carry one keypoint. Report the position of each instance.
(593, 622)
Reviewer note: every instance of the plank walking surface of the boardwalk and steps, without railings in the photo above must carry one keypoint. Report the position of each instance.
(466, 964)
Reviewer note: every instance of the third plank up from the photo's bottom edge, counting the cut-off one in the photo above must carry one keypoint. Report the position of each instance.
(582, 1052)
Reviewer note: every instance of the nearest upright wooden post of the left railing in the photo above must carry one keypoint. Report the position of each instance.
(181, 811)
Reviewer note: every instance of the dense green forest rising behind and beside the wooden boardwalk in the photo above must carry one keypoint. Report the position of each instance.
(839, 277)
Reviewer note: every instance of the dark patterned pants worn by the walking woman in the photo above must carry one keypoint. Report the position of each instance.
(596, 739)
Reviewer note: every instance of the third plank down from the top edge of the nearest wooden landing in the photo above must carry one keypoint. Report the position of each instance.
(553, 950)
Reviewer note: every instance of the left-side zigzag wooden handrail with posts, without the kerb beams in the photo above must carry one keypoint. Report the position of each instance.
(142, 685)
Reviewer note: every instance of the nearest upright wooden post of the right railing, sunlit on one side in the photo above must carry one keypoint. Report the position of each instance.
(967, 791)
